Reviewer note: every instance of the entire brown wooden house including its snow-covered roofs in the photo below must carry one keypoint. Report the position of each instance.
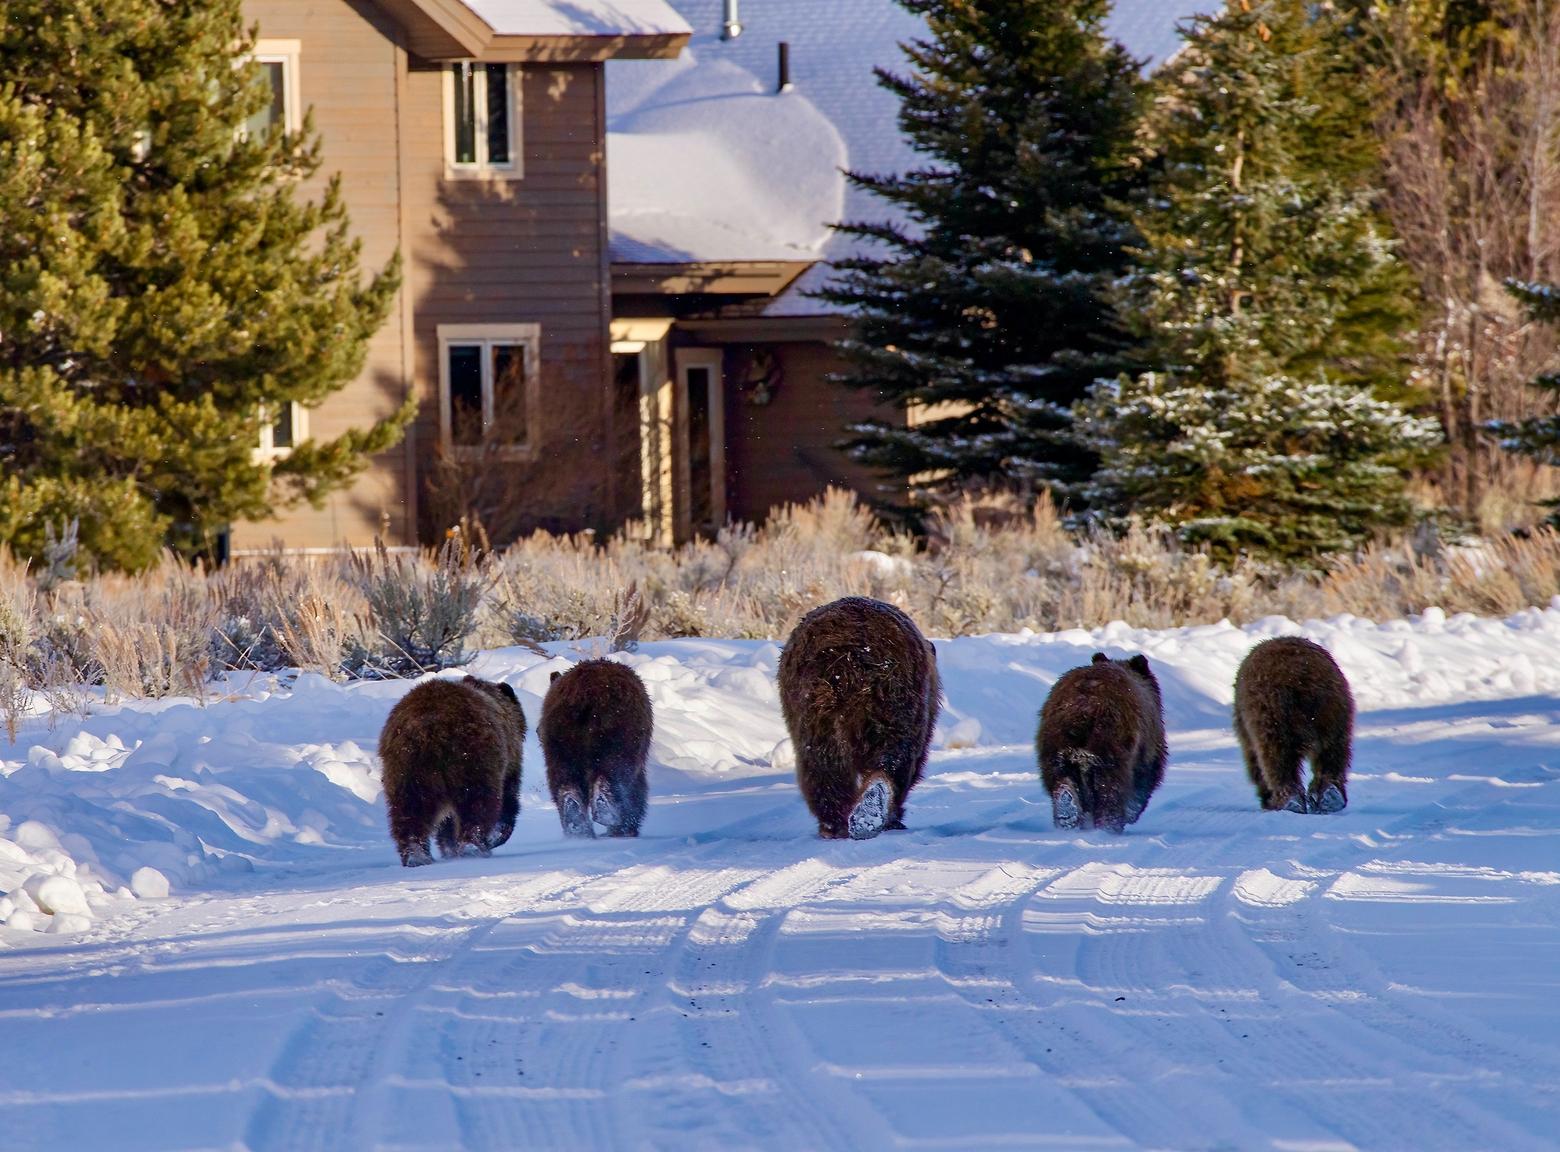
(611, 215)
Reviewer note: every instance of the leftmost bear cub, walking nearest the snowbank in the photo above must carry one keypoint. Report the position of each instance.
(452, 764)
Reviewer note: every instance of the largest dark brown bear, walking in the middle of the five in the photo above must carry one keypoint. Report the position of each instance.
(860, 692)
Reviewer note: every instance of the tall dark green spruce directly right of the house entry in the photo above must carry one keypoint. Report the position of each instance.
(987, 302)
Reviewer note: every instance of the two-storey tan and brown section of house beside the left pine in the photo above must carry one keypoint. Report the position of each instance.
(470, 137)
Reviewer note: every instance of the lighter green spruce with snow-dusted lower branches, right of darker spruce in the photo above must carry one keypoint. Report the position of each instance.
(1257, 300)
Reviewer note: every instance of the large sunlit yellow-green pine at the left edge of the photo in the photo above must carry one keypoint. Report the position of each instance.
(163, 283)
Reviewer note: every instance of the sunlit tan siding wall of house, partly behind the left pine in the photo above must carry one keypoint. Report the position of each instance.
(349, 66)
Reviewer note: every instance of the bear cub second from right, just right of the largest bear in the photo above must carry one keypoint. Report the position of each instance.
(1102, 744)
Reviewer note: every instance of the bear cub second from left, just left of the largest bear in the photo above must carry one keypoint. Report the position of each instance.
(595, 734)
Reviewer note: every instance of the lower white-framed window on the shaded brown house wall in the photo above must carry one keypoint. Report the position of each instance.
(489, 389)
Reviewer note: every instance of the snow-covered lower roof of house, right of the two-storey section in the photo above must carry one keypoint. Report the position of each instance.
(707, 162)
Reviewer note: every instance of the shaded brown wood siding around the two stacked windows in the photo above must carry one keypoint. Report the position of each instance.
(528, 251)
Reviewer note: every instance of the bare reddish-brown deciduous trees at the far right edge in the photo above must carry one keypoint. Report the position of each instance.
(1470, 127)
